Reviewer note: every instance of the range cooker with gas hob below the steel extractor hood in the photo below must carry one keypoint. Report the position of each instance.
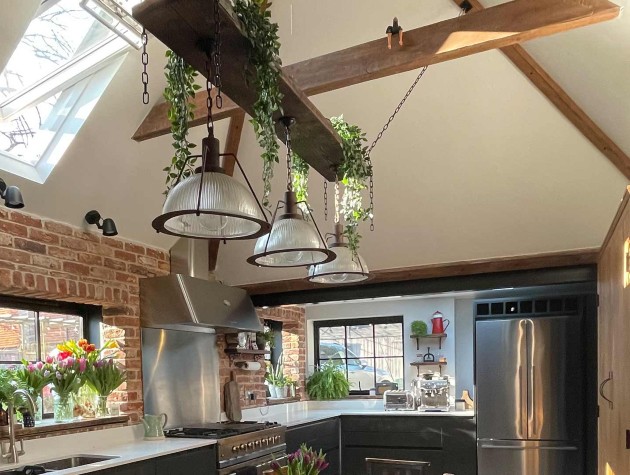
(243, 448)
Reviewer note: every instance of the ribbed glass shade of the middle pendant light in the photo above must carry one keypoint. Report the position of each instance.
(293, 242)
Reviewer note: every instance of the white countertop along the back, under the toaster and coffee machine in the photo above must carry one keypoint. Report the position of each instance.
(299, 413)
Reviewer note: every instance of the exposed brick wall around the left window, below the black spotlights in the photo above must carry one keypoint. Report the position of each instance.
(46, 259)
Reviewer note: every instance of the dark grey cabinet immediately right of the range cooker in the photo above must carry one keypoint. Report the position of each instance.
(321, 435)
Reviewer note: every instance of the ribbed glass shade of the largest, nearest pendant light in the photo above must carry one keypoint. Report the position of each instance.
(227, 210)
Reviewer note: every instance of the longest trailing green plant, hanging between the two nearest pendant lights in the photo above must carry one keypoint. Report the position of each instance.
(264, 56)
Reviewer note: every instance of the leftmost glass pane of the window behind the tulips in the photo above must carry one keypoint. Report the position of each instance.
(17, 335)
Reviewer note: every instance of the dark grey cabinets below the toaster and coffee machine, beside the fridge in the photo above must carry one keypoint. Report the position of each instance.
(448, 443)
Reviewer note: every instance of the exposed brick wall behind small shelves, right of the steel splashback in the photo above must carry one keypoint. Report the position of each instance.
(293, 346)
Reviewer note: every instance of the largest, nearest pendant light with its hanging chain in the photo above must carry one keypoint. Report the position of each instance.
(210, 204)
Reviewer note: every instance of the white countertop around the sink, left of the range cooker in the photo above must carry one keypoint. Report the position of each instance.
(125, 443)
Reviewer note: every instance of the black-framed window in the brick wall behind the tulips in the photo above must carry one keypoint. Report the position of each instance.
(31, 330)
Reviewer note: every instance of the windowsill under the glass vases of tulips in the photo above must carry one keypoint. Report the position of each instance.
(48, 427)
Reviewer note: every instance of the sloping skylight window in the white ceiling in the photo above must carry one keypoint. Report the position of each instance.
(59, 70)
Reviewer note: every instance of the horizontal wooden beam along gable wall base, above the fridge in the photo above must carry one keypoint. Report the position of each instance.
(453, 269)
